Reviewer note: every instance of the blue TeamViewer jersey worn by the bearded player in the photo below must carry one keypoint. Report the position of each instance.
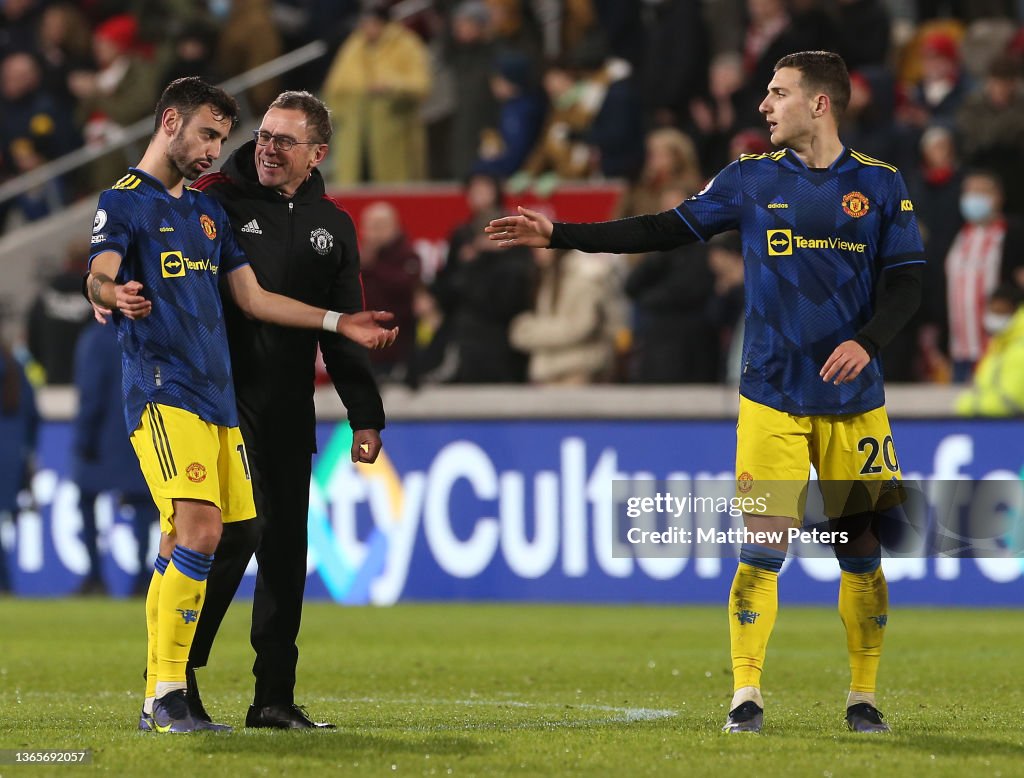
(177, 248)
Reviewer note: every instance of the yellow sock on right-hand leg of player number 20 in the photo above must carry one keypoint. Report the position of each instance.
(864, 604)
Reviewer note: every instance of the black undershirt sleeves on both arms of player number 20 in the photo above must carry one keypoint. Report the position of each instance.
(897, 304)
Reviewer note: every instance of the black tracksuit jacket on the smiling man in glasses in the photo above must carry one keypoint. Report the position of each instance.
(304, 248)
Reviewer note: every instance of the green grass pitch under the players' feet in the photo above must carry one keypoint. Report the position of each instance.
(524, 690)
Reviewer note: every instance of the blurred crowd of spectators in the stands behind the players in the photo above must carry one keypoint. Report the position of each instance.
(515, 97)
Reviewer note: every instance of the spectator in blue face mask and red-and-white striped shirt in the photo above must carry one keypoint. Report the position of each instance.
(989, 250)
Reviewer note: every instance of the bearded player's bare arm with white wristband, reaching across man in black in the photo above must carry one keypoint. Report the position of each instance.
(366, 328)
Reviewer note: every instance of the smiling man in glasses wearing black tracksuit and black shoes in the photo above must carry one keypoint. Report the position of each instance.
(301, 244)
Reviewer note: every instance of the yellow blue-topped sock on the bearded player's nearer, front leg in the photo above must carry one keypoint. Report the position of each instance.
(182, 596)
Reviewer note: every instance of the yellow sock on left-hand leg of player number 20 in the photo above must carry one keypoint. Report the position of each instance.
(753, 607)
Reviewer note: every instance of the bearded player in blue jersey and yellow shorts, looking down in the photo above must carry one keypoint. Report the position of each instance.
(159, 251)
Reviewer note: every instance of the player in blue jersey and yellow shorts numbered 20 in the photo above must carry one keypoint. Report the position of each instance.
(833, 265)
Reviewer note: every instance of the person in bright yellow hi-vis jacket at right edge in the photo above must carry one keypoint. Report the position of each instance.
(998, 388)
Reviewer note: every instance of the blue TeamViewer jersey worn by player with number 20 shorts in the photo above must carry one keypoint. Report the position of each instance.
(816, 242)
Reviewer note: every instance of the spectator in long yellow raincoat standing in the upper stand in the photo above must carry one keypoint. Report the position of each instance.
(375, 91)
